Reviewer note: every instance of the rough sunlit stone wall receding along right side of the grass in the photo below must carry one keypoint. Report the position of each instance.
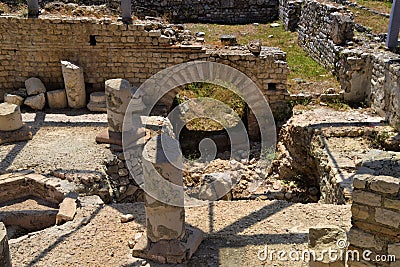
(324, 30)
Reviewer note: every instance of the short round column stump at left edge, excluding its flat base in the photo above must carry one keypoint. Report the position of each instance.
(10, 117)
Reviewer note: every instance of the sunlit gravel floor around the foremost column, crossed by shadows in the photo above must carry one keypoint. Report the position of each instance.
(235, 232)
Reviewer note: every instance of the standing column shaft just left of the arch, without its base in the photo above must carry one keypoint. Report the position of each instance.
(118, 95)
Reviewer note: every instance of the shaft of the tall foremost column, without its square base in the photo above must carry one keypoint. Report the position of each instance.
(163, 184)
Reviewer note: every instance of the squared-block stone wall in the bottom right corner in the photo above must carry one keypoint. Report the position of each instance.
(376, 207)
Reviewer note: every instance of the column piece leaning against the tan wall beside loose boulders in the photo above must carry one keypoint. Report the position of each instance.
(74, 84)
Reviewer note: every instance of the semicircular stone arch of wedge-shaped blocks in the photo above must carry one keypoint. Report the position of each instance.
(163, 86)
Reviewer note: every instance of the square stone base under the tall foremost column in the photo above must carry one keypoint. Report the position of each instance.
(169, 251)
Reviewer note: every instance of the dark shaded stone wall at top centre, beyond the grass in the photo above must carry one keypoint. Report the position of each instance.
(210, 11)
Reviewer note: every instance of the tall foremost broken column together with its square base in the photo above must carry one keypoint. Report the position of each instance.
(167, 240)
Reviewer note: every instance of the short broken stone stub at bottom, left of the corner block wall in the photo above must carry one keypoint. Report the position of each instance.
(329, 244)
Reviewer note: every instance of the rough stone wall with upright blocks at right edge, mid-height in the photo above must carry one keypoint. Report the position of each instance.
(372, 77)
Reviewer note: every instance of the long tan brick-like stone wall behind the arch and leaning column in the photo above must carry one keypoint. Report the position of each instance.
(106, 49)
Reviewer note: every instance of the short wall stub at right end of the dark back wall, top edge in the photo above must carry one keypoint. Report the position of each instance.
(289, 13)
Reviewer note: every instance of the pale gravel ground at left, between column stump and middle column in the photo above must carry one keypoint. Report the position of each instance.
(60, 141)
